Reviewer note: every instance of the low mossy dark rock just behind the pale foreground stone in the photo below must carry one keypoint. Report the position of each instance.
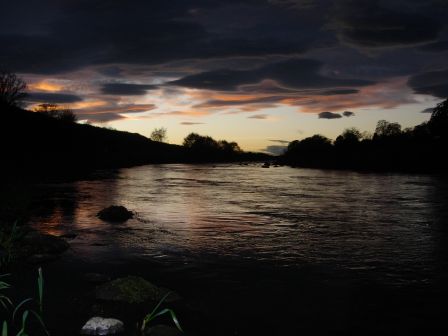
(132, 289)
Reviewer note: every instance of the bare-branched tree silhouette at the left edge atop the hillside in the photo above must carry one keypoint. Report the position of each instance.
(12, 89)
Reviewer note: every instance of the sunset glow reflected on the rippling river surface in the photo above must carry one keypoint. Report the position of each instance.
(387, 227)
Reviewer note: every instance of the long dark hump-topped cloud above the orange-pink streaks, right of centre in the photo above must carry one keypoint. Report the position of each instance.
(293, 73)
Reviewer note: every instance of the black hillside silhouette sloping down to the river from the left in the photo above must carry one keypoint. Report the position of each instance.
(39, 145)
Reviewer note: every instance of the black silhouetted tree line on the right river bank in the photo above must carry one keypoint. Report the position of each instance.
(418, 148)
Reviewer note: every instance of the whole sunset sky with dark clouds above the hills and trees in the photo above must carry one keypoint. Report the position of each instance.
(258, 72)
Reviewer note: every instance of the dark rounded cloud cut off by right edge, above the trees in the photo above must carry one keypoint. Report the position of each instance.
(432, 83)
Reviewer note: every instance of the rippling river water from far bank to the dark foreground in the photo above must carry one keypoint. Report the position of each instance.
(337, 246)
